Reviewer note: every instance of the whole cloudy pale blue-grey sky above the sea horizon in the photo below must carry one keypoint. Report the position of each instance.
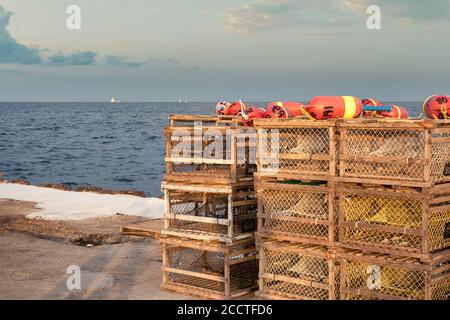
(211, 50)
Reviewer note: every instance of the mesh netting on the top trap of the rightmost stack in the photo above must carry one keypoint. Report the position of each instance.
(393, 154)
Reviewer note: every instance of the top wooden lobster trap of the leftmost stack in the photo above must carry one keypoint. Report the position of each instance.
(210, 154)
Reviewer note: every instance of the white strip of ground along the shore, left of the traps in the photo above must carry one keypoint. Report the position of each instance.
(71, 205)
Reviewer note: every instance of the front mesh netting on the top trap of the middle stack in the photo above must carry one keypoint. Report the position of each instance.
(288, 150)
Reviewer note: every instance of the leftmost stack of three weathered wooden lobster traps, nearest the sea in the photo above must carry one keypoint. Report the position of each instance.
(210, 208)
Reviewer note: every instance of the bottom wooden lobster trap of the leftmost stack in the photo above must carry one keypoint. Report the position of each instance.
(209, 270)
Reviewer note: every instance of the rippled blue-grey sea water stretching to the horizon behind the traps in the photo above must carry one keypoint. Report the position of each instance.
(113, 146)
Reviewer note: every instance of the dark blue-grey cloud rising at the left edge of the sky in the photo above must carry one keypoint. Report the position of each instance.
(10, 50)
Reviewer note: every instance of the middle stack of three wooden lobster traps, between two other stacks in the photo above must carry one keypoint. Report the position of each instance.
(295, 184)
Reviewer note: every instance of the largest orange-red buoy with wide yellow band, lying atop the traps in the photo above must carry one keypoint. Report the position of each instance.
(328, 107)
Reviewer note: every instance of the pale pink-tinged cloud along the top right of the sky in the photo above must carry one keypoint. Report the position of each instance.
(261, 15)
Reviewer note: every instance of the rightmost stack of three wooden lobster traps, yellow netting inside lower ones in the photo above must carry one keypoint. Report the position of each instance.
(394, 209)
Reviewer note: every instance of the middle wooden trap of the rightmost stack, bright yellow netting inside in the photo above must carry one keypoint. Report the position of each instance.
(404, 221)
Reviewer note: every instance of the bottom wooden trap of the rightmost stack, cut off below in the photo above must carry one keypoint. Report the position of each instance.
(373, 276)
